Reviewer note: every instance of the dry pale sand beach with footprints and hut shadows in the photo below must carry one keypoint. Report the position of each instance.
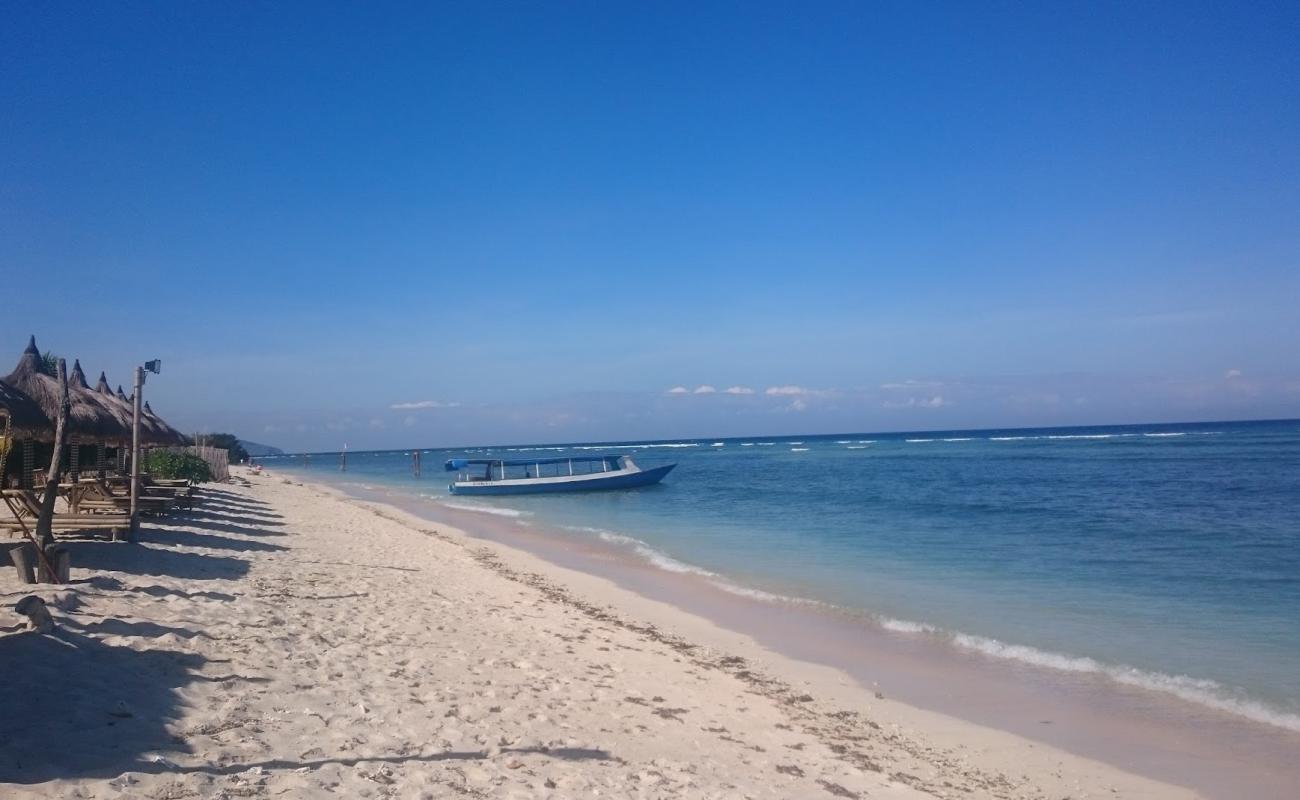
(284, 642)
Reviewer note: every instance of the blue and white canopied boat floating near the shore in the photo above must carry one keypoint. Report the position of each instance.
(582, 474)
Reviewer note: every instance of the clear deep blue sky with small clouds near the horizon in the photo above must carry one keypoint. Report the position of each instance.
(445, 224)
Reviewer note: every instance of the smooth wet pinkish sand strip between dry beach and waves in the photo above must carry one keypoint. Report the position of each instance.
(1091, 715)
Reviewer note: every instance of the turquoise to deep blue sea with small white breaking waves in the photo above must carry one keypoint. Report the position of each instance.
(1162, 556)
